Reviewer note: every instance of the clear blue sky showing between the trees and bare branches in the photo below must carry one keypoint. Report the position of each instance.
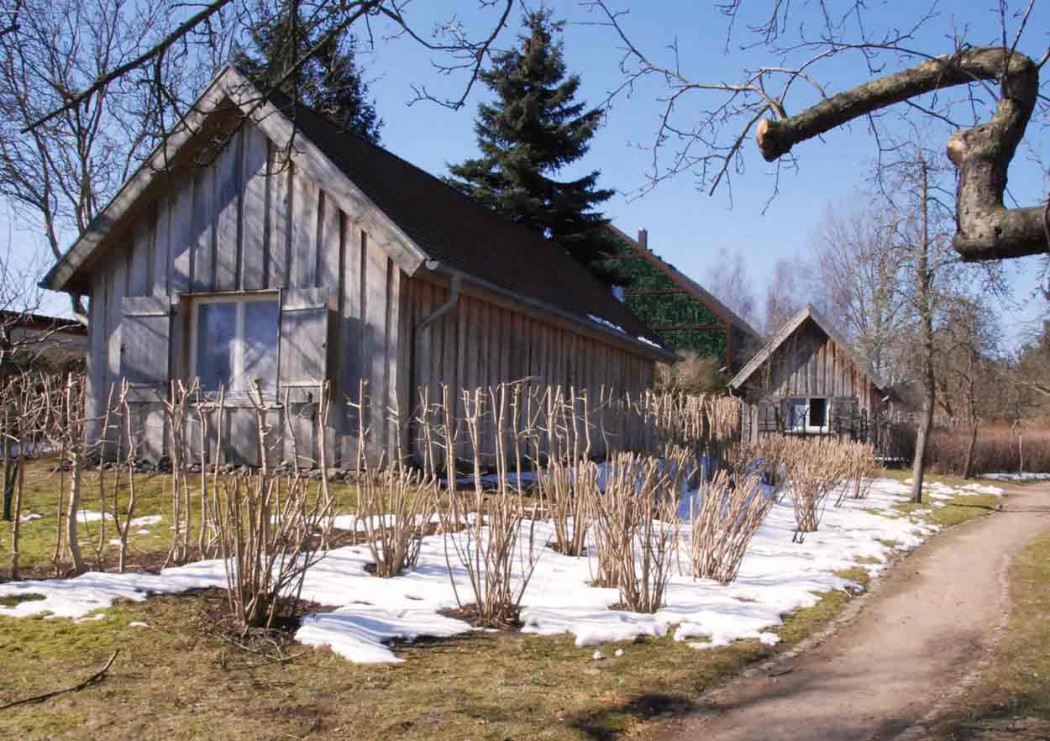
(686, 226)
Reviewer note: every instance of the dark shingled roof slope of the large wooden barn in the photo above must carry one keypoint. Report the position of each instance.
(456, 230)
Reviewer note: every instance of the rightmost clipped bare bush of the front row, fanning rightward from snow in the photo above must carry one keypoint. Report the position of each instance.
(725, 518)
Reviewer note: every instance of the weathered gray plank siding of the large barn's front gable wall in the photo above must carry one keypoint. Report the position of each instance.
(250, 221)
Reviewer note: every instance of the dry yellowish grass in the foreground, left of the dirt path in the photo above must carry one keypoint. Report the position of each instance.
(175, 682)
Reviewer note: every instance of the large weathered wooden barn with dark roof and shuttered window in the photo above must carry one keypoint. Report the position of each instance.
(262, 242)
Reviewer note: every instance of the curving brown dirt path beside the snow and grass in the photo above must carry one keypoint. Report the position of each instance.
(912, 647)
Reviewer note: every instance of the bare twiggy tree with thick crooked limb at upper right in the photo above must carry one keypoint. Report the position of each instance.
(950, 90)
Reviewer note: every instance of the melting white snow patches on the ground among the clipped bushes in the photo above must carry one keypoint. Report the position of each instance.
(776, 578)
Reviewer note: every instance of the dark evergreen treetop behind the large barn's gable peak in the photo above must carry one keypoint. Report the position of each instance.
(329, 82)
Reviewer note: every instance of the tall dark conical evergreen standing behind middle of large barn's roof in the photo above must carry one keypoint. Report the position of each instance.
(535, 129)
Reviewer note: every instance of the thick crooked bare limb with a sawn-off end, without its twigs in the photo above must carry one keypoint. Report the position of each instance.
(986, 229)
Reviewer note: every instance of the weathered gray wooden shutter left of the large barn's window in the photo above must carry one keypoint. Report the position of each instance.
(145, 341)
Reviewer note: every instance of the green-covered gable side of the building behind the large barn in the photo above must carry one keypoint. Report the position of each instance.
(687, 316)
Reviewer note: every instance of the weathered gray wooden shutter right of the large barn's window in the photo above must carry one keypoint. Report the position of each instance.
(304, 340)
